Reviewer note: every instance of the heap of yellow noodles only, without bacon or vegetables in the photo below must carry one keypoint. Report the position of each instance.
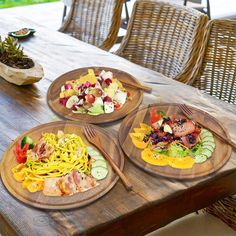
(70, 153)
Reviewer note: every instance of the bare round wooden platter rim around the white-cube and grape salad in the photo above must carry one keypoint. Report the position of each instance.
(129, 106)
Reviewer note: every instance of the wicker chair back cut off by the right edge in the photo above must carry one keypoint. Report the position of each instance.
(216, 73)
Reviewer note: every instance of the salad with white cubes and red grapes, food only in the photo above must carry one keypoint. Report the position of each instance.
(94, 94)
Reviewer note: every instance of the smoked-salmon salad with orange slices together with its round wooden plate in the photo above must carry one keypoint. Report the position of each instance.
(162, 141)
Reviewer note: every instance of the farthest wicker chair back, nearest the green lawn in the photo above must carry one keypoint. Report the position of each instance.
(95, 22)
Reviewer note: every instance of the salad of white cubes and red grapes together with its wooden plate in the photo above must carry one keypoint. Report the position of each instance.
(103, 92)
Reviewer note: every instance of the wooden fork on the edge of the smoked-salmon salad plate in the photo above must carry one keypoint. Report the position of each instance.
(189, 114)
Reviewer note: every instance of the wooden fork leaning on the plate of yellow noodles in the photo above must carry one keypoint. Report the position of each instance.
(93, 138)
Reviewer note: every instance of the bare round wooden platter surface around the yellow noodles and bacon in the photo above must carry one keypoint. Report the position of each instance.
(64, 202)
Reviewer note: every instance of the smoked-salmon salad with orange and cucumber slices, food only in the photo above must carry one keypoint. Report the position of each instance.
(173, 140)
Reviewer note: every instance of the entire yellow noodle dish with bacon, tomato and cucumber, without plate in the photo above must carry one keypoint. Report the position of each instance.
(58, 164)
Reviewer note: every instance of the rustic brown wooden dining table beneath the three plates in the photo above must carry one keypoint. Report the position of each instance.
(155, 201)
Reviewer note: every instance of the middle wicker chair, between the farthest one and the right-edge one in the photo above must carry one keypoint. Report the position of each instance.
(164, 37)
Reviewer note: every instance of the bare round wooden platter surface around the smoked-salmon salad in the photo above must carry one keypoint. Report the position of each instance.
(219, 157)
